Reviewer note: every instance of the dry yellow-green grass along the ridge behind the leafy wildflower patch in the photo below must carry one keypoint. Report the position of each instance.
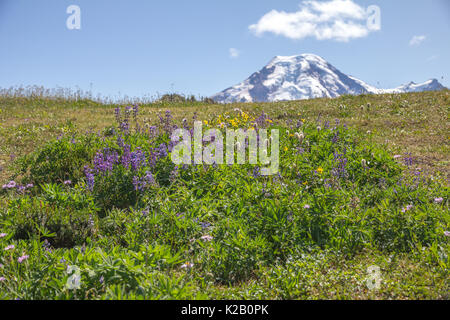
(414, 122)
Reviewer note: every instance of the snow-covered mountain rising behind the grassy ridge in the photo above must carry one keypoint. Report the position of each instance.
(305, 76)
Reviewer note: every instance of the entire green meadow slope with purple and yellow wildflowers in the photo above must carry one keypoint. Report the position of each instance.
(366, 186)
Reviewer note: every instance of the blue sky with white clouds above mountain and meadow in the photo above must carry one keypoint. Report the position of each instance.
(139, 47)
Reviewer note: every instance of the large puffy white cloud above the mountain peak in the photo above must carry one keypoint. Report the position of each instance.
(339, 20)
